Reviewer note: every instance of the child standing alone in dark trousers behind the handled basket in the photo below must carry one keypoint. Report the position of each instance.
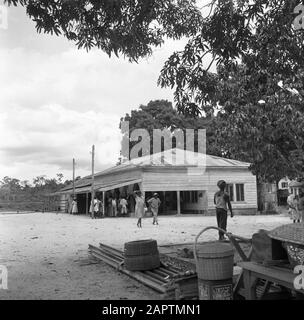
(221, 201)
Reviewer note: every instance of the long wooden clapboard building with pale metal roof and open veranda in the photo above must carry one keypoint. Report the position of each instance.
(182, 186)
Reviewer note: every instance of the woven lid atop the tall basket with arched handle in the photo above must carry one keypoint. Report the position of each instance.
(214, 250)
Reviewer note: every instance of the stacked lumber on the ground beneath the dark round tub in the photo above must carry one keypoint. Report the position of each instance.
(162, 279)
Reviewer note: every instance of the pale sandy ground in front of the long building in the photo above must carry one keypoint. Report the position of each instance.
(46, 253)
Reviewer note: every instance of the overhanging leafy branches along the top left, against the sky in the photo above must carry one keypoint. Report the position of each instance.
(128, 27)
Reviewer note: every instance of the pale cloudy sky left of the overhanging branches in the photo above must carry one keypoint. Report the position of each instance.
(57, 101)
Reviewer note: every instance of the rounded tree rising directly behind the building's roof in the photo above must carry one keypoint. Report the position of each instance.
(160, 114)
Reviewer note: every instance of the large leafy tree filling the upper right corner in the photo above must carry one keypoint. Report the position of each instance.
(255, 47)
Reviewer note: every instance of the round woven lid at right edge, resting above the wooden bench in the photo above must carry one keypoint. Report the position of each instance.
(293, 233)
